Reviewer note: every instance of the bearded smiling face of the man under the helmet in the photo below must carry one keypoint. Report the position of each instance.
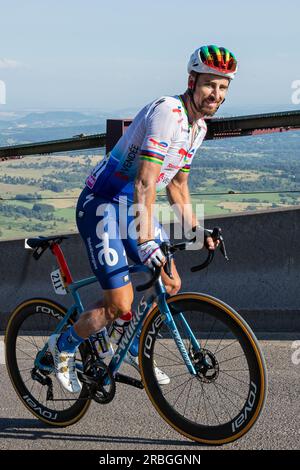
(210, 92)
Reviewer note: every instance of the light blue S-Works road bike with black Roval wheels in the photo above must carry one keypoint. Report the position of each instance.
(217, 371)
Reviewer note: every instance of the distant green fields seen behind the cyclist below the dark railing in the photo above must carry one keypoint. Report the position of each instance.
(70, 172)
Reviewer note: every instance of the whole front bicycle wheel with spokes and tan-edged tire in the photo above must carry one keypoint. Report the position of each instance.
(225, 398)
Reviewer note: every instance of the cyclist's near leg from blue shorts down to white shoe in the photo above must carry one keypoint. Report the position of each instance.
(97, 224)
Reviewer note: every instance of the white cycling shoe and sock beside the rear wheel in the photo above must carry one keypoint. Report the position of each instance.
(64, 363)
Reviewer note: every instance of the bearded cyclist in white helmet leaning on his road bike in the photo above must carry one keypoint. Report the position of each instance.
(155, 152)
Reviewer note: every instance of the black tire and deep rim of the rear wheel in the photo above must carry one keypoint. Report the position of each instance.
(46, 313)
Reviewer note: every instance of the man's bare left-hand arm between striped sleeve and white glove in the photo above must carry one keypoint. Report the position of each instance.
(145, 195)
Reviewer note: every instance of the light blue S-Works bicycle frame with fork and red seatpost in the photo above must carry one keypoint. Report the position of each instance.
(136, 323)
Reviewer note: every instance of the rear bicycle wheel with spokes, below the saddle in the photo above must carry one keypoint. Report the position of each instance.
(29, 327)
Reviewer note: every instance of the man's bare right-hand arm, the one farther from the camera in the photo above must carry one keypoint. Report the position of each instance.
(178, 193)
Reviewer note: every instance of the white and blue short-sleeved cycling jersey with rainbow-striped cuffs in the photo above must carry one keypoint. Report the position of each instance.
(160, 133)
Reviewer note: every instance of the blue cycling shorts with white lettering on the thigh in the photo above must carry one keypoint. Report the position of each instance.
(109, 233)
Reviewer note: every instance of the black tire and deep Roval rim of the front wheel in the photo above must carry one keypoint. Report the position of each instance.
(153, 337)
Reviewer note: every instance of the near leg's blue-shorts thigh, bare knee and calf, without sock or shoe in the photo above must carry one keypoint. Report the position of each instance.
(97, 221)
